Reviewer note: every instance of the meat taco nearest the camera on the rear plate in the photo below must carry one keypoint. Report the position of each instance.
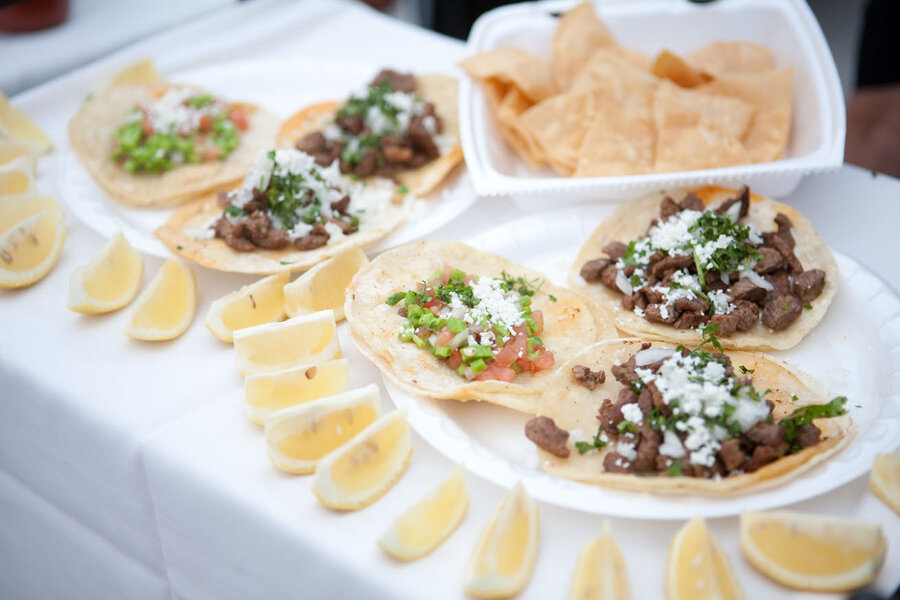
(288, 214)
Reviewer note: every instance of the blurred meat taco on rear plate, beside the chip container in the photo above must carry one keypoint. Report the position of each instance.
(400, 126)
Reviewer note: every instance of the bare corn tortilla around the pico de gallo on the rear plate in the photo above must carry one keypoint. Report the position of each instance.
(91, 136)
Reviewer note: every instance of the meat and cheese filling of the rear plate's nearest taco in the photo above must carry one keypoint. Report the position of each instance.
(286, 200)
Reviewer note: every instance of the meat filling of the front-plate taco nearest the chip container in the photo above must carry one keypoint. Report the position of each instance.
(697, 266)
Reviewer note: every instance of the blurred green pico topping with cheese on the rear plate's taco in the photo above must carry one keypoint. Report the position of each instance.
(179, 126)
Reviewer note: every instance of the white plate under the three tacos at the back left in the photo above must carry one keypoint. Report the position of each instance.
(282, 87)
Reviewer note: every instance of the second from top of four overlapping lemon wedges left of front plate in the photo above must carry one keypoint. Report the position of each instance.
(265, 393)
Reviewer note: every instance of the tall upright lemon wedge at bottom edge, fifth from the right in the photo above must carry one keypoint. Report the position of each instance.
(505, 551)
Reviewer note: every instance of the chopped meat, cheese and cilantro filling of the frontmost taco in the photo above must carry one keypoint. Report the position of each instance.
(688, 415)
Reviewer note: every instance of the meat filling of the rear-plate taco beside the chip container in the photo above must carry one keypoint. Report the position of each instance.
(382, 129)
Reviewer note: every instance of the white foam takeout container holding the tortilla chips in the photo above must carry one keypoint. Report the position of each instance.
(787, 27)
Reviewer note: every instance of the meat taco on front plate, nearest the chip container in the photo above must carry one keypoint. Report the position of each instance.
(751, 268)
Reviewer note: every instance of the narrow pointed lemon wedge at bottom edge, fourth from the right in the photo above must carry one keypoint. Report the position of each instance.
(600, 571)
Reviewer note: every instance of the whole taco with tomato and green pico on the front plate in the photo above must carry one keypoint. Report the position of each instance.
(444, 320)
